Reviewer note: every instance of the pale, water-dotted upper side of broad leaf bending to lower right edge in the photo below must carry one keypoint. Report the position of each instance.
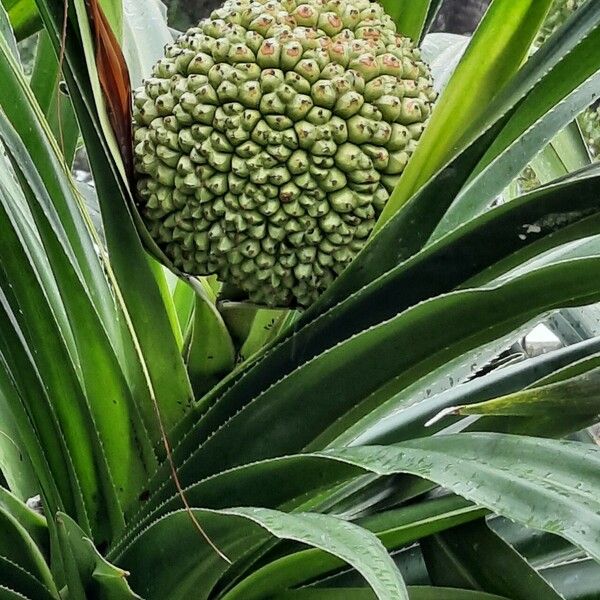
(559, 479)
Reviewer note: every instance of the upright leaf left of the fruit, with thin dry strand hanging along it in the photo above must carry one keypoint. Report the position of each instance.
(155, 364)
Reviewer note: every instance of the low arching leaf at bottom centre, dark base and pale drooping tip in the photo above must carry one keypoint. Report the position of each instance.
(188, 569)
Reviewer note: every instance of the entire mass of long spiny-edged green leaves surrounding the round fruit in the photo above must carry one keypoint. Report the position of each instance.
(309, 464)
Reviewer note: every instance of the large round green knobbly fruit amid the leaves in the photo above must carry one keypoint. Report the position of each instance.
(269, 137)
